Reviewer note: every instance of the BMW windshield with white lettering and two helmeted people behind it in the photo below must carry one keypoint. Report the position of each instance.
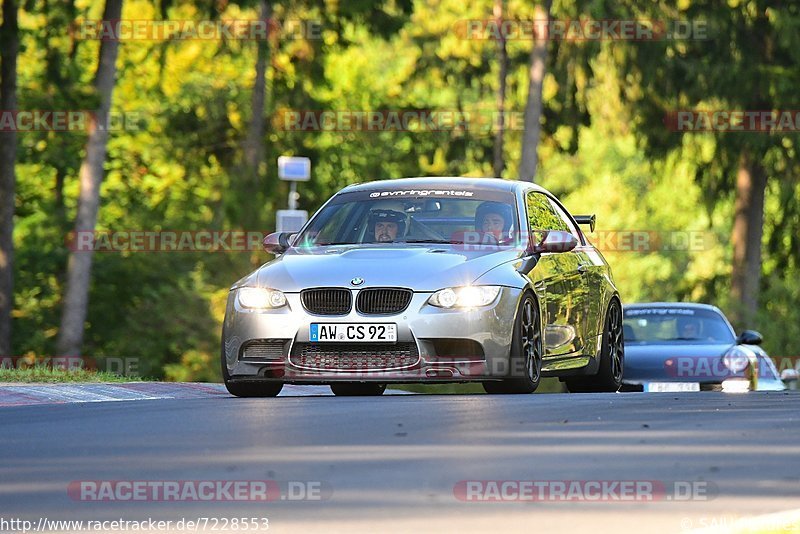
(415, 216)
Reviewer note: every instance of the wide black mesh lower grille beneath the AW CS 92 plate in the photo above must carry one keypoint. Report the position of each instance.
(354, 356)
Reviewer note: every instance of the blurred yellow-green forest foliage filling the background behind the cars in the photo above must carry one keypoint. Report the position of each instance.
(178, 165)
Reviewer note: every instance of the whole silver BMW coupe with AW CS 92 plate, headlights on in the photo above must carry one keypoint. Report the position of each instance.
(427, 280)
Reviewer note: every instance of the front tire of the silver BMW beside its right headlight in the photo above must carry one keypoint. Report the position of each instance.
(526, 352)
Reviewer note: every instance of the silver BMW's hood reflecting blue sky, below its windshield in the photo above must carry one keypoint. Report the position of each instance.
(420, 268)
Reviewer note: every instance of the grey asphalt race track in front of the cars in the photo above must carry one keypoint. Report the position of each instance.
(402, 463)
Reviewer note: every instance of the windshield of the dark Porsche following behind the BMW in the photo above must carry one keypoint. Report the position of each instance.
(657, 324)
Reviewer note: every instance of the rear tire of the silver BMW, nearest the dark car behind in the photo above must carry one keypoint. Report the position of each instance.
(612, 357)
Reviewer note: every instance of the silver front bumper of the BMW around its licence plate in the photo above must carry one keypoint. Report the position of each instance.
(417, 356)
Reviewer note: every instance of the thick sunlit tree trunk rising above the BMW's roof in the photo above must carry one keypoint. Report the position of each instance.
(534, 106)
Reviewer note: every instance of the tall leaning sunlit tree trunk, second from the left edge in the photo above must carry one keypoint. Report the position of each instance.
(79, 267)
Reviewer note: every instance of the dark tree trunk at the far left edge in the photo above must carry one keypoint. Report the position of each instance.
(9, 49)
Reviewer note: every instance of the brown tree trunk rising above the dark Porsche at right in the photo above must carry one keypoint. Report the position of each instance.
(748, 224)
